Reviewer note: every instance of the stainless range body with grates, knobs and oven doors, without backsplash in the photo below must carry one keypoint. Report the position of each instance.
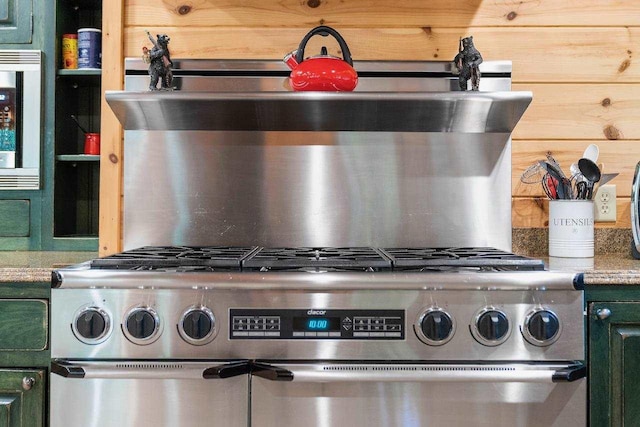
(239, 336)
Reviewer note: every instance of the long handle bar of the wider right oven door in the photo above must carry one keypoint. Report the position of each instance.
(444, 373)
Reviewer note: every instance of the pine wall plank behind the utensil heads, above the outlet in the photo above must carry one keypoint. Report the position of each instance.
(615, 156)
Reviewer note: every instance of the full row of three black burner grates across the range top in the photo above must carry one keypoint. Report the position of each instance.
(306, 259)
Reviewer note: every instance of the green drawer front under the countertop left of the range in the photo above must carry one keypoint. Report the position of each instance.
(23, 325)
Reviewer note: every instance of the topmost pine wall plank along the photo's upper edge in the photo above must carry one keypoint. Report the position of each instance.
(382, 13)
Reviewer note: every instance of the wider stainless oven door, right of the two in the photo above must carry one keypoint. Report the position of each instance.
(408, 395)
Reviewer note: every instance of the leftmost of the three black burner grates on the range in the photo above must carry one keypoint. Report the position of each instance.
(171, 257)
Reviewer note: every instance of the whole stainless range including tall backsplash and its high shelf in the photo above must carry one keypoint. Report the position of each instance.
(317, 259)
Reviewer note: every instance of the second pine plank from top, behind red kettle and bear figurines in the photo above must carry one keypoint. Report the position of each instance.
(549, 55)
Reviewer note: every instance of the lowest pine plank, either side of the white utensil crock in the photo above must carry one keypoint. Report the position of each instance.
(534, 212)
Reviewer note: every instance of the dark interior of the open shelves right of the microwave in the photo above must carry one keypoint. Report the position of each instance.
(77, 93)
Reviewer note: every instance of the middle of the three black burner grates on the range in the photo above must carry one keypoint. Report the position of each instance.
(293, 259)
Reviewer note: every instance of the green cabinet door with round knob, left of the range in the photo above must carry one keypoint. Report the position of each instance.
(21, 398)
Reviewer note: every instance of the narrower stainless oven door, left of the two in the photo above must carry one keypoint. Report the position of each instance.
(146, 394)
